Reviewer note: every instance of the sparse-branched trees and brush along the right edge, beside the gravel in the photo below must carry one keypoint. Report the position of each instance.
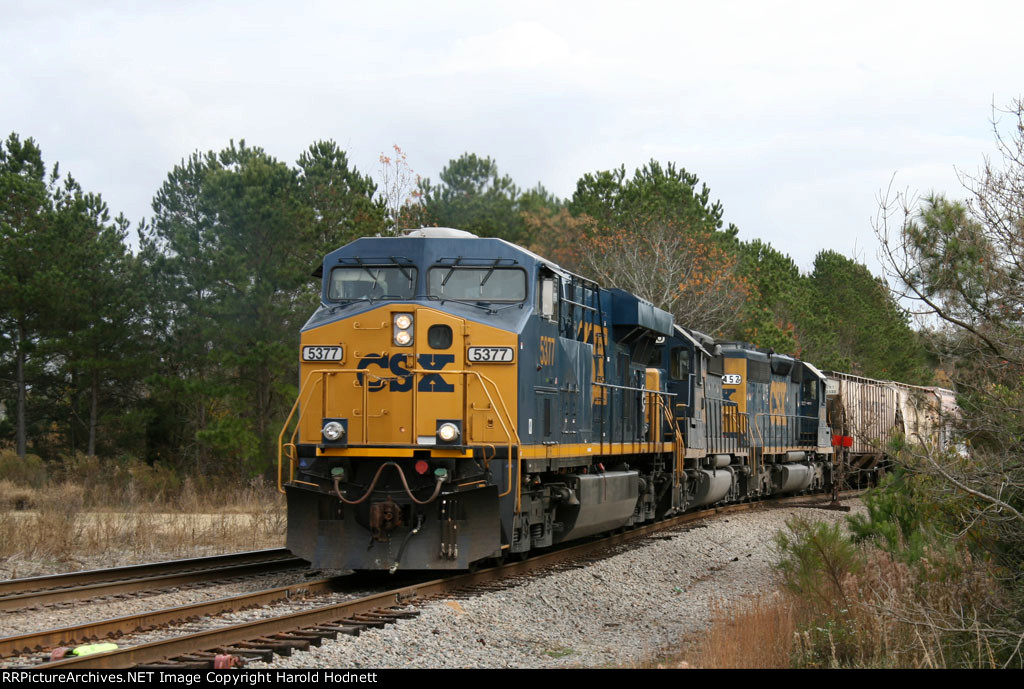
(933, 575)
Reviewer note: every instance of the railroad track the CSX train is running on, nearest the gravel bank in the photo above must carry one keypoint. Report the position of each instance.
(300, 630)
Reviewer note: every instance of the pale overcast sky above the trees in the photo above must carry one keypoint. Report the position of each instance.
(796, 115)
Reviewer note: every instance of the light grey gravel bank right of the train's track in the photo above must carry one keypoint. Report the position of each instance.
(625, 611)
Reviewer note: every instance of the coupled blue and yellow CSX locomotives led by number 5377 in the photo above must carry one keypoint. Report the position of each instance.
(464, 400)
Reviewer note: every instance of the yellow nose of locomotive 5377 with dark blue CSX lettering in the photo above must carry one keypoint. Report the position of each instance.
(405, 380)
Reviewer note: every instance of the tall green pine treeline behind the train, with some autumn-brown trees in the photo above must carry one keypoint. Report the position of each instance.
(183, 352)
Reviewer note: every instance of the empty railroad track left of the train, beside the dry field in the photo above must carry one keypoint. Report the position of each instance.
(40, 591)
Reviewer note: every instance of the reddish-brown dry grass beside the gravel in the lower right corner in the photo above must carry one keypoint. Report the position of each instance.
(899, 617)
